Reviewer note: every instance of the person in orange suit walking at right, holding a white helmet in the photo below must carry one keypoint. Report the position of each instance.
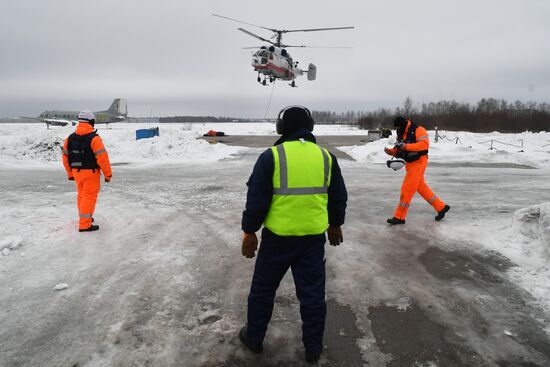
(412, 146)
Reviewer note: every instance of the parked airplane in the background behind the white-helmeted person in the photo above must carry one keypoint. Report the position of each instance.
(116, 113)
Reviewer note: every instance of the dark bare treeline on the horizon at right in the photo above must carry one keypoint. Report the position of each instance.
(489, 114)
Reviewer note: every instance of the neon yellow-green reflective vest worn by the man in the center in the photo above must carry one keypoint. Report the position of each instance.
(300, 184)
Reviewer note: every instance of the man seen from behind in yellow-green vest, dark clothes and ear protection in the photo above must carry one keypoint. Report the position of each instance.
(297, 192)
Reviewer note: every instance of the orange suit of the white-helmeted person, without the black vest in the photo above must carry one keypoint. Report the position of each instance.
(88, 180)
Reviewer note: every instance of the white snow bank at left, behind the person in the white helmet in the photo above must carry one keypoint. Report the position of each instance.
(33, 143)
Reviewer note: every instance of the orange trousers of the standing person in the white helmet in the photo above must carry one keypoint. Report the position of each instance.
(87, 184)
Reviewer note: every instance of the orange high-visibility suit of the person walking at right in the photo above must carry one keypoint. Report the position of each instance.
(414, 179)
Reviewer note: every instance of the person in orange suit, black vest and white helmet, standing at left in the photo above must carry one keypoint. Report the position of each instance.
(84, 156)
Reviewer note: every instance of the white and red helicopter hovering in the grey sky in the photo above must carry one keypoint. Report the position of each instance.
(274, 62)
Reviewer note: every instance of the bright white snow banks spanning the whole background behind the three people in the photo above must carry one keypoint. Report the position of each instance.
(178, 143)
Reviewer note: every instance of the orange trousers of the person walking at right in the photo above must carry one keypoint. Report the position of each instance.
(414, 182)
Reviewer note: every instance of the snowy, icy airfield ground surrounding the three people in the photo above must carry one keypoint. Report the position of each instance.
(163, 282)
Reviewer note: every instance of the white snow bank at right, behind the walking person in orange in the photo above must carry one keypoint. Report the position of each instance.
(531, 149)
